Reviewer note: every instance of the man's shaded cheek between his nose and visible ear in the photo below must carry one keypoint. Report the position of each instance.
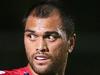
(58, 49)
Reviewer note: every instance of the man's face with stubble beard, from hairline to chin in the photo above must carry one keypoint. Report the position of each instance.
(46, 50)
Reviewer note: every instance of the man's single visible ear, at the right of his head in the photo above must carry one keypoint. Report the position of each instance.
(71, 43)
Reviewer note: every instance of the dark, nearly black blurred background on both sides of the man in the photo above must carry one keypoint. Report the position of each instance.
(84, 60)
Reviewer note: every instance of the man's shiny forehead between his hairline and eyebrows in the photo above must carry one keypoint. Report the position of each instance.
(50, 22)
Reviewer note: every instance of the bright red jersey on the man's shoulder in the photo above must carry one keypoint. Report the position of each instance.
(19, 71)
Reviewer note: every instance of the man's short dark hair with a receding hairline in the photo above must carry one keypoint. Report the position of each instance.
(45, 8)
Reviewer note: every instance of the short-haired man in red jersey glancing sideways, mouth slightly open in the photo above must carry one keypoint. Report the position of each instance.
(49, 37)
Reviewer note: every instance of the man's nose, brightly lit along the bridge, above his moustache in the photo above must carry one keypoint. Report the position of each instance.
(42, 45)
